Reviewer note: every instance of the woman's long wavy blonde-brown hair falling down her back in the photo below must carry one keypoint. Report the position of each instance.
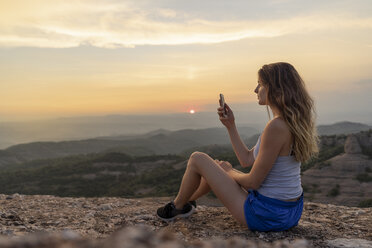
(286, 91)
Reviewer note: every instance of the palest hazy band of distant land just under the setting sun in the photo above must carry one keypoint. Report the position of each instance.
(86, 127)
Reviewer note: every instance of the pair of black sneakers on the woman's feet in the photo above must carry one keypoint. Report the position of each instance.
(169, 211)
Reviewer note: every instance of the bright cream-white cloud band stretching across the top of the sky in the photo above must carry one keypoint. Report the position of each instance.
(119, 24)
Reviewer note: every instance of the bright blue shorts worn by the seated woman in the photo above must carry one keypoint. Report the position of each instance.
(264, 214)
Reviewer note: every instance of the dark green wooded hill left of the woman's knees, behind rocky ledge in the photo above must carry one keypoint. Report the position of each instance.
(108, 174)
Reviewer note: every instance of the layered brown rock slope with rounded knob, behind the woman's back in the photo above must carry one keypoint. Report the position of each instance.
(343, 179)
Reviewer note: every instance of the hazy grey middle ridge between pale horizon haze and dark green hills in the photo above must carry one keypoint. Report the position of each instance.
(156, 142)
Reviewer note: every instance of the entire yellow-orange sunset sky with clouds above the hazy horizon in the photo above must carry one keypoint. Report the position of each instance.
(91, 57)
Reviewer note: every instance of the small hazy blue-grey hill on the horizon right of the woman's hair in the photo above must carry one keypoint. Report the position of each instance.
(342, 128)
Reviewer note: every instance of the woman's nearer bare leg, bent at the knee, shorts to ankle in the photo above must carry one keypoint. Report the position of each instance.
(225, 188)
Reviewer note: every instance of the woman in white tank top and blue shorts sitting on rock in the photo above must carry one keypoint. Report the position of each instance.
(269, 197)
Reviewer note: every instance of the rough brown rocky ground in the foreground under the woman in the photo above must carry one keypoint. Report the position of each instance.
(90, 221)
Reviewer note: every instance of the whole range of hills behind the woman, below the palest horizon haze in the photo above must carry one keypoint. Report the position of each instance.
(138, 165)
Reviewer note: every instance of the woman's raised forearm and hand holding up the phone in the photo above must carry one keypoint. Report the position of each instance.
(244, 155)
